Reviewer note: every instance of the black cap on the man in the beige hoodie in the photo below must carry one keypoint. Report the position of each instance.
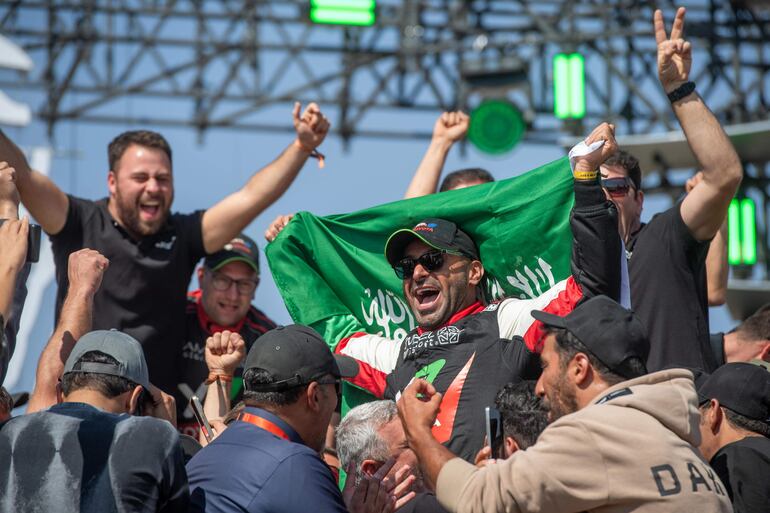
(610, 332)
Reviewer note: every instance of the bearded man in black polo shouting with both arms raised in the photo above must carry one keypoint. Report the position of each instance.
(152, 252)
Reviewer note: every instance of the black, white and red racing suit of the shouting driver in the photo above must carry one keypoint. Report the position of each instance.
(480, 348)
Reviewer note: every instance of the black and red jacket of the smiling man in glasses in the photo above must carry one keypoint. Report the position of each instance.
(193, 371)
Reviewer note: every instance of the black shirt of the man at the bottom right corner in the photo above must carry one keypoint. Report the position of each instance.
(744, 468)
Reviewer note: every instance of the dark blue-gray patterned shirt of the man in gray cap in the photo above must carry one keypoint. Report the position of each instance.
(74, 457)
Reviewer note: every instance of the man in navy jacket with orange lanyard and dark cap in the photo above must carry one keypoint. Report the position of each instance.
(268, 459)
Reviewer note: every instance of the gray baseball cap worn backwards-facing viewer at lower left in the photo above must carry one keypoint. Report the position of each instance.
(123, 348)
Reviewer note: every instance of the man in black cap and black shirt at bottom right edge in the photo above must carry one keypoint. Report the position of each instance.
(735, 432)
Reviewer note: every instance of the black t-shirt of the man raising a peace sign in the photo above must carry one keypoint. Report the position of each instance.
(667, 269)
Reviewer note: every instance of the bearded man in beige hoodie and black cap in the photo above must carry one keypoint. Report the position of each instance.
(620, 440)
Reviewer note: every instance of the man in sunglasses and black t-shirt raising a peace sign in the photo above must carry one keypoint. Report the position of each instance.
(667, 256)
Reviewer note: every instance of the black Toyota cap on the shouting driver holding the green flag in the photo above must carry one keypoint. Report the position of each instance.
(437, 233)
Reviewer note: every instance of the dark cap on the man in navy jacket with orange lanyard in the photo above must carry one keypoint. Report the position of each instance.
(296, 355)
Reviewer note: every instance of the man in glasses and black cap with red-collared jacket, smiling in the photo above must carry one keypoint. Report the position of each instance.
(228, 280)
